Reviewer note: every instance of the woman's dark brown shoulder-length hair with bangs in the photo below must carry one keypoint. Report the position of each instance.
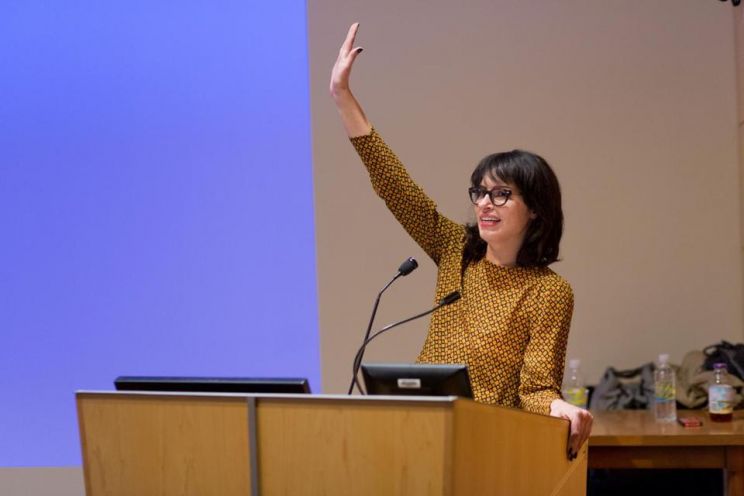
(539, 187)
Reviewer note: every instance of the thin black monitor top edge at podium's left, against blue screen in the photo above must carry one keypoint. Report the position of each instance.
(213, 384)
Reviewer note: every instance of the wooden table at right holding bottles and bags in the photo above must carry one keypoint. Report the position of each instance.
(632, 439)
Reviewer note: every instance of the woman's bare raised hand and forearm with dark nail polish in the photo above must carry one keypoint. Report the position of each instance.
(352, 115)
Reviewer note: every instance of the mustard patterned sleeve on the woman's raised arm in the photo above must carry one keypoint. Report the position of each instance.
(413, 209)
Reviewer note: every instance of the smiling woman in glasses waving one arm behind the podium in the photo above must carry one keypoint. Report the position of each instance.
(511, 325)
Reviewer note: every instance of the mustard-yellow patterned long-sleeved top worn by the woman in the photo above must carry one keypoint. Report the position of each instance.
(510, 327)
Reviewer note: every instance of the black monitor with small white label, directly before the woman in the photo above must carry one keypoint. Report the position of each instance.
(417, 379)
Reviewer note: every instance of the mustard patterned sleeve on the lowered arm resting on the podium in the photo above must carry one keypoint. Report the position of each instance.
(542, 371)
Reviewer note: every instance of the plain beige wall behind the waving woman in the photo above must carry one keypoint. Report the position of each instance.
(634, 104)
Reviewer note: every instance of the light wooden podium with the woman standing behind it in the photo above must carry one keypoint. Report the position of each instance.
(230, 444)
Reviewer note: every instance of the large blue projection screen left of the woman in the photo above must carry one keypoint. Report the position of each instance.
(155, 203)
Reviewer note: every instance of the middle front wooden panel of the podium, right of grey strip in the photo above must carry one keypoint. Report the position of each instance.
(360, 448)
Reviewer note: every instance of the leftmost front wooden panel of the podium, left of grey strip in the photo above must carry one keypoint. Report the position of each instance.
(164, 445)
